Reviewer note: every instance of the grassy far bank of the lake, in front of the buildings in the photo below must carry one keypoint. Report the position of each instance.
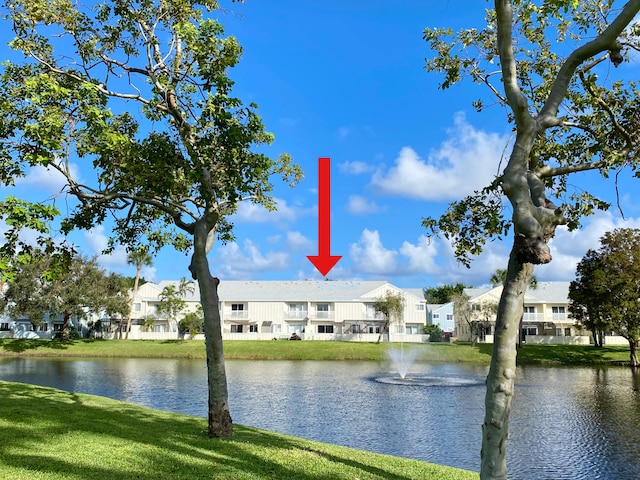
(313, 350)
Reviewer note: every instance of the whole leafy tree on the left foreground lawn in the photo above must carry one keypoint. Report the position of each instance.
(170, 172)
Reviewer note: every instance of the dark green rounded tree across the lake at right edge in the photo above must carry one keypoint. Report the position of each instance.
(606, 292)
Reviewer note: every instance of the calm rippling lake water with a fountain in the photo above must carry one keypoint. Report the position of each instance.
(566, 423)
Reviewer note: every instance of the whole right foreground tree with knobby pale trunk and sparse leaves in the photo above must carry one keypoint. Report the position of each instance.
(540, 61)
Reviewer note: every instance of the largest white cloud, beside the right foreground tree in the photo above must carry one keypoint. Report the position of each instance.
(467, 161)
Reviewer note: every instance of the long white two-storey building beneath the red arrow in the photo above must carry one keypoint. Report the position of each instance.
(314, 310)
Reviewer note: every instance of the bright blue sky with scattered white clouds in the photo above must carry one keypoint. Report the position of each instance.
(345, 80)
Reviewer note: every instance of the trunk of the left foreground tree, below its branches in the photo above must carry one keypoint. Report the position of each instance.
(219, 417)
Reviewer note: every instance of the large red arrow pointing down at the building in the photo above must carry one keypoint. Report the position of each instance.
(324, 261)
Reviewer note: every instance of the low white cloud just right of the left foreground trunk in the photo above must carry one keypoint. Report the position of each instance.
(237, 263)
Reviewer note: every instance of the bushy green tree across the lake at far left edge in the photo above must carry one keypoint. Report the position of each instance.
(81, 289)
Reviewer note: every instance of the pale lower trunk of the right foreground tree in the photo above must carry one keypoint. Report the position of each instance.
(502, 372)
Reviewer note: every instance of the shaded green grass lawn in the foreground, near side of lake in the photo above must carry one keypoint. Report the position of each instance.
(51, 434)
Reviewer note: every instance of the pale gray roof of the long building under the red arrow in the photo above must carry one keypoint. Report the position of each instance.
(292, 290)
